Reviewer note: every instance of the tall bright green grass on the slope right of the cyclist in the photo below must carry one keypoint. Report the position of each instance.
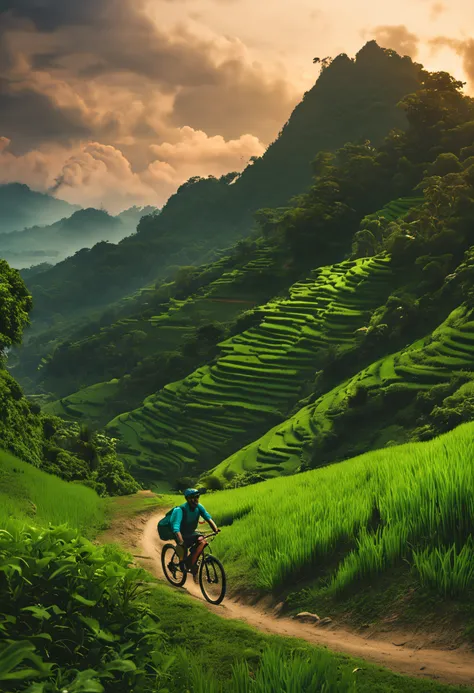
(357, 519)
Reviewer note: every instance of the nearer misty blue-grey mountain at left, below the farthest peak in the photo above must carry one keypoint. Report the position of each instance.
(83, 229)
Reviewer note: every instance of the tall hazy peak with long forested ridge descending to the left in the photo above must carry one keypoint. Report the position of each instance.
(352, 99)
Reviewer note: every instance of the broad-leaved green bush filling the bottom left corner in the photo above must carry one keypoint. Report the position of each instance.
(58, 590)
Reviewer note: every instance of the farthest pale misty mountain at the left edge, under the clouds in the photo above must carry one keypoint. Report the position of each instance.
(21, 207)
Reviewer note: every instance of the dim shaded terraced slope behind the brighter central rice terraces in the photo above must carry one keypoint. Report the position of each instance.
(130, 340)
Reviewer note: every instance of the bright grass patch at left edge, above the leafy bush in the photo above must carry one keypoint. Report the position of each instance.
(33, 497)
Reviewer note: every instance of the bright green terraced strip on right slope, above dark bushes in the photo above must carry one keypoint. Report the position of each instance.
(424, 364)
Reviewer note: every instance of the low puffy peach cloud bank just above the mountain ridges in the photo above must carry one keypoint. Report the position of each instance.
(97, 174)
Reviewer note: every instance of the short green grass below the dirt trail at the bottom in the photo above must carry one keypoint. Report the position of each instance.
(216, 646)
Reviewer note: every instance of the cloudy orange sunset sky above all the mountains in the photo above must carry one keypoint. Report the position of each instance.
(117, 102)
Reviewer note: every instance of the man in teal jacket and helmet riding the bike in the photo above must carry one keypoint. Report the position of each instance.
(184, 520)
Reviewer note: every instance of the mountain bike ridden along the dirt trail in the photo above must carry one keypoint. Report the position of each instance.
(209, 569)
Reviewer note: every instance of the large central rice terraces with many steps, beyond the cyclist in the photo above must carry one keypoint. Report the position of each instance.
(191, 423)
